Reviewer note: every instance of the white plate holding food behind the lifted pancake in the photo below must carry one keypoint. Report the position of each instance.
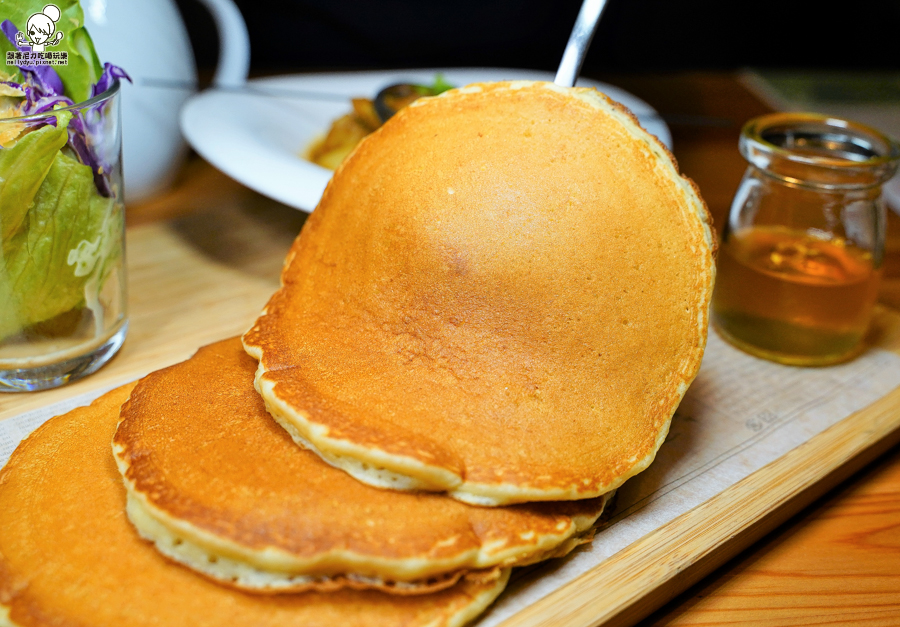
(256, 138)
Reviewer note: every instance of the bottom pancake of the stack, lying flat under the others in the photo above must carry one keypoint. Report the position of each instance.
(69, 557)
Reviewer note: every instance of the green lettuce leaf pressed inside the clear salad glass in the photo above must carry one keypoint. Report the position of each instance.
(60, 257)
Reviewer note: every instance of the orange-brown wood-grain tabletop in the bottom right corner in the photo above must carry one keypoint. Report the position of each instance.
(836, 564)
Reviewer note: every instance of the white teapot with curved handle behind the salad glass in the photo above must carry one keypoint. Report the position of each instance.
(148, 39)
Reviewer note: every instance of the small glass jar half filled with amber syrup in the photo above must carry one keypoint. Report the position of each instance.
(801, 254)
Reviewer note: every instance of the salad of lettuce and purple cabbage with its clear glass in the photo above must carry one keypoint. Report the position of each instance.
(62, 281)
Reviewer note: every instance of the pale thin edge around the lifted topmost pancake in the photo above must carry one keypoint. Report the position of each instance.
(402, 472)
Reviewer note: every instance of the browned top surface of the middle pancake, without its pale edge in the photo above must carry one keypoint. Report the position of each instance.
(201, 448)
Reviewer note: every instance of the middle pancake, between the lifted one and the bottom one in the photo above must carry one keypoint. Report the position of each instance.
(217, 485)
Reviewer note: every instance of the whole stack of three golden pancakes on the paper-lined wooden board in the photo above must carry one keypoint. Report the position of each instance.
(482, 331)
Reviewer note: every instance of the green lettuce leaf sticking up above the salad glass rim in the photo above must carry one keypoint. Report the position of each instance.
(84, 67)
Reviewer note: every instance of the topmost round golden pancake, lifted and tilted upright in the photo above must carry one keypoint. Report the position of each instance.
(503, 294)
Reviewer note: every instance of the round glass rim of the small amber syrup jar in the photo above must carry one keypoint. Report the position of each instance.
(755, 131)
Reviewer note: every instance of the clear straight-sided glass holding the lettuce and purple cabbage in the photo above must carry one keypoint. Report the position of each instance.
(62, 261)
